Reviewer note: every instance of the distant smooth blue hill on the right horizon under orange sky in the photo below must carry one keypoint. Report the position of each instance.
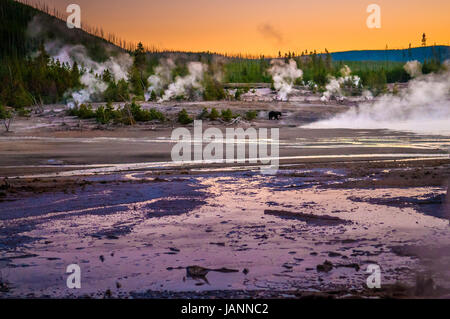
(440, 52)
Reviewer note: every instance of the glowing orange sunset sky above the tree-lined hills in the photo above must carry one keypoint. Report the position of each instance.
(265, 27)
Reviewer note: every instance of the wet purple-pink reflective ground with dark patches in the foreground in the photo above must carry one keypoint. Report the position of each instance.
(279, 232)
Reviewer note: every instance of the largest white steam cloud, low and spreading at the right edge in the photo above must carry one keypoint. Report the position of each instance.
(423, 107)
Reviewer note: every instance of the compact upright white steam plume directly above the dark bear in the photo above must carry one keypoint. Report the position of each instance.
(284, 76)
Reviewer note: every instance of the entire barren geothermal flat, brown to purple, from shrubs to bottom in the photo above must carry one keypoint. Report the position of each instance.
(109, 200)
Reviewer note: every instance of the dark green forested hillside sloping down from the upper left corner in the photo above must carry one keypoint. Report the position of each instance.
(27, 73)
